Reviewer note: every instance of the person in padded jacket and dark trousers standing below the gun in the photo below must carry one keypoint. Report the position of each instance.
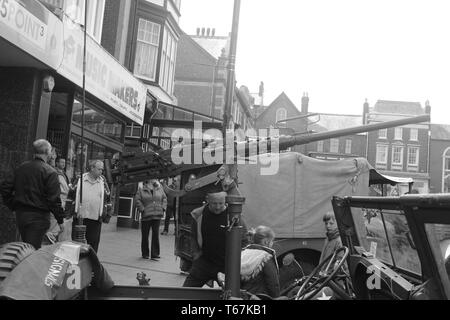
(152, 203)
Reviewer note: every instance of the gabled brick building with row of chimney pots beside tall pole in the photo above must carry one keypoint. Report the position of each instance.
(201, 78)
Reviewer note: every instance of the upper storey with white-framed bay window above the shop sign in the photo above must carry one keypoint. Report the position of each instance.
(143, 36)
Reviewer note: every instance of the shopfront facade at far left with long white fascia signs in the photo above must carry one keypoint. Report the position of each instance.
(41, 75)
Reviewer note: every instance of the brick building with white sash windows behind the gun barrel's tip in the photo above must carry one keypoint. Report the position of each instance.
(401, 151)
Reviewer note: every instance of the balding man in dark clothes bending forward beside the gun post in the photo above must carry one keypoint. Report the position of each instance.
(209, 240)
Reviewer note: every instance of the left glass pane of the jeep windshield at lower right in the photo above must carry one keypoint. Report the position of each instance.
(385, 234)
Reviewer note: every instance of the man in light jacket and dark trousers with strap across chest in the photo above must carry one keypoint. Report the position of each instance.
(91, 208)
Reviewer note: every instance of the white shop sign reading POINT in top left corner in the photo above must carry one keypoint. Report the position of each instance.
(30, 26)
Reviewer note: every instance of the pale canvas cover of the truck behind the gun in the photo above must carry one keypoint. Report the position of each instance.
(293, 201)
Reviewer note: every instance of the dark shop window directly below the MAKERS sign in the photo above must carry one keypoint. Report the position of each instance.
(97, 122)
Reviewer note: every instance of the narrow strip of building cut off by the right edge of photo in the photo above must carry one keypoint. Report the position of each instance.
(440, 158)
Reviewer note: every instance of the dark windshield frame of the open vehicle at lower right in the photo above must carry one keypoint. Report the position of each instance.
(419, 211)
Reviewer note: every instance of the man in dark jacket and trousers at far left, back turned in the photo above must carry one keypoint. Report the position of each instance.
(33, 192)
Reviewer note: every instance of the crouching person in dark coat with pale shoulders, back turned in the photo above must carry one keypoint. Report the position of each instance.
(259, 268)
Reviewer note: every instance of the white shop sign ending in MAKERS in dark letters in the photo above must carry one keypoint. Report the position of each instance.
(106, 78)
